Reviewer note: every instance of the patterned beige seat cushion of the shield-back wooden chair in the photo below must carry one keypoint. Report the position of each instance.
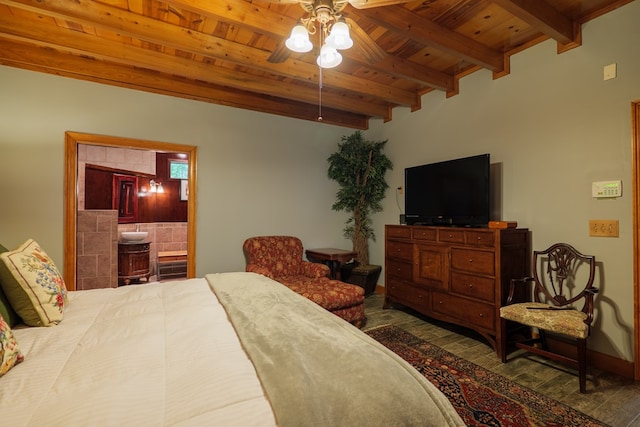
(565, 322)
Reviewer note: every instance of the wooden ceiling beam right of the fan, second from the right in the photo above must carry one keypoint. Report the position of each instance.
(411, 25)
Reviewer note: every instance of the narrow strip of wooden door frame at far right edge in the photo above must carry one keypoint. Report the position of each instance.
(635, 158)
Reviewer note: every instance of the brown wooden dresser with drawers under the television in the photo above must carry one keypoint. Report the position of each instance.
(459, 275)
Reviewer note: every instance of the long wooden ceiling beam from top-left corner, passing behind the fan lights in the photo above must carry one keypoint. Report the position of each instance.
(155, 31)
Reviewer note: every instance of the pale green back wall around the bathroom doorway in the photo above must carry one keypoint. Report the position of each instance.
(257, 173)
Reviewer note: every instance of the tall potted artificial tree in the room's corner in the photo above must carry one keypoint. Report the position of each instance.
(359, 167)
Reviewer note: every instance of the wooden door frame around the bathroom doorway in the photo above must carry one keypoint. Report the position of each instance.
(72, 140)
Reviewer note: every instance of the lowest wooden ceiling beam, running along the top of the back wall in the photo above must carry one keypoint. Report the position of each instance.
(47, 60)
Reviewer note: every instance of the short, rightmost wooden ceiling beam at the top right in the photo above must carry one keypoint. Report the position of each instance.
(546, 18)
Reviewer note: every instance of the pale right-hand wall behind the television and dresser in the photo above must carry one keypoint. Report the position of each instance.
(555, 126)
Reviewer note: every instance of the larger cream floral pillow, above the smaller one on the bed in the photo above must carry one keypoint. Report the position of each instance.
(34, 287)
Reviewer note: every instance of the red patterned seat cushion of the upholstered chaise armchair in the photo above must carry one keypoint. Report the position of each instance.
(329, 294)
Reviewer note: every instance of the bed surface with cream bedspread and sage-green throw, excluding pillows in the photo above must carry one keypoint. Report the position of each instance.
(226, 349)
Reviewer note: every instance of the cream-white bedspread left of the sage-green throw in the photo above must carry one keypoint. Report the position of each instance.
(163, 354)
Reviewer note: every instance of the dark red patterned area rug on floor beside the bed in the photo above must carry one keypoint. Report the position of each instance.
(481, 397)
